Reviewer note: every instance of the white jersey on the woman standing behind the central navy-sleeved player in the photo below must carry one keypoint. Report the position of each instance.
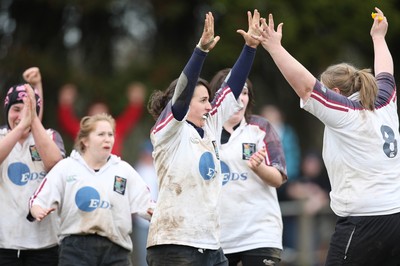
(250, 213)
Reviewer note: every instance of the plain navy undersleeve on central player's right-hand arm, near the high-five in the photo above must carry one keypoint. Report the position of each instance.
(241, 70)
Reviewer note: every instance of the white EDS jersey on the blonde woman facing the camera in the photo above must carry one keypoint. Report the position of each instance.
(94, 202)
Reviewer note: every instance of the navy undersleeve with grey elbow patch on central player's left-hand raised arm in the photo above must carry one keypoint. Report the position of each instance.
(187, 83)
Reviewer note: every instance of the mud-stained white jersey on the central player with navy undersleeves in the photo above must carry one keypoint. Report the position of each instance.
(190, 180)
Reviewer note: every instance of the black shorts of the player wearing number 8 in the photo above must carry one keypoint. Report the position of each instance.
(365, 240)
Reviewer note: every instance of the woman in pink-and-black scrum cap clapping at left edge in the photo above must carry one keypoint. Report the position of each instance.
(27, 152)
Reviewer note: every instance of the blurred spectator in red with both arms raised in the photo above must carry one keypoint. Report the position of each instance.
(69, 122)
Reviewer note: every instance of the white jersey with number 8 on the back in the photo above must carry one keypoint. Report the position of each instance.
(360, 149)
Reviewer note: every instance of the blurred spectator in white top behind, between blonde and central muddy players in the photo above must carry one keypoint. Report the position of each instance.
(140, 226)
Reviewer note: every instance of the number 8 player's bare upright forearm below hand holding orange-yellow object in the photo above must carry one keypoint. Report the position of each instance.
(383, 61)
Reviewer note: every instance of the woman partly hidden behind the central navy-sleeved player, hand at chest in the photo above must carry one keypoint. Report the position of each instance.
(253, 166)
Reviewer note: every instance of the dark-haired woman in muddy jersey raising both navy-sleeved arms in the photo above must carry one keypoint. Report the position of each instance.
(184, 229)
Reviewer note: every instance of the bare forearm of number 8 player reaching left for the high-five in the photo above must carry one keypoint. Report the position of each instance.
(298, 77)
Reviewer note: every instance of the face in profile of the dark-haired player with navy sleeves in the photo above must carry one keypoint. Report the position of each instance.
(199, 106)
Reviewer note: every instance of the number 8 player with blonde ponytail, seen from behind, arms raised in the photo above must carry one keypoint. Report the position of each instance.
(360, 148)
